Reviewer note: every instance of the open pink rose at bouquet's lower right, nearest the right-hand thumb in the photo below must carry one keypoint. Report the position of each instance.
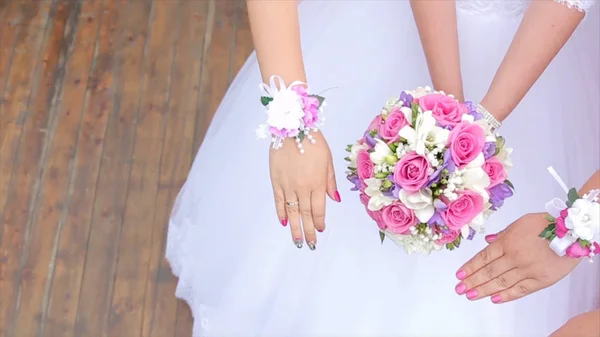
(463, 210)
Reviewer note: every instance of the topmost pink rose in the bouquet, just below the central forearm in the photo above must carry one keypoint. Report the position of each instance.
(446, 110)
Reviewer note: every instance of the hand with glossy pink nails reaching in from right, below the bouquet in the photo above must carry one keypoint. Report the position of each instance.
(515, 264)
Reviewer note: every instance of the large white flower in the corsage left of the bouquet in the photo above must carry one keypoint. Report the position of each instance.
(286, 110)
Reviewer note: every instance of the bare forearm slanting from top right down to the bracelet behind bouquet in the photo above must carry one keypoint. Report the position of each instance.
(545, 28)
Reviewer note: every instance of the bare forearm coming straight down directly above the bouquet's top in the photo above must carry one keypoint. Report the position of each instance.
(436, 22)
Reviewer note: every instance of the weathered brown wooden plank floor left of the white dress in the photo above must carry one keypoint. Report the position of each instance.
(104, 104)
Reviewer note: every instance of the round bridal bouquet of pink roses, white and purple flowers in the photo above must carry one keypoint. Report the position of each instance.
(429, 170)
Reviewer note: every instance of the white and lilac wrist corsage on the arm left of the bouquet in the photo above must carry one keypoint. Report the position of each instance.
(292, 112)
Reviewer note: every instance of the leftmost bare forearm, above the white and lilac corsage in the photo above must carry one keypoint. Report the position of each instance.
(276, 36)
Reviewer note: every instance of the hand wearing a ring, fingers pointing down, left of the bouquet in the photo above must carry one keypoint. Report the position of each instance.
(300, 182)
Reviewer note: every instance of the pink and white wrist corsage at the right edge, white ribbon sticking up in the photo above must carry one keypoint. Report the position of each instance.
(574, 227)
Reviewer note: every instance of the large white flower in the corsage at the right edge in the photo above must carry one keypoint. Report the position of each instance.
(584, 219)
